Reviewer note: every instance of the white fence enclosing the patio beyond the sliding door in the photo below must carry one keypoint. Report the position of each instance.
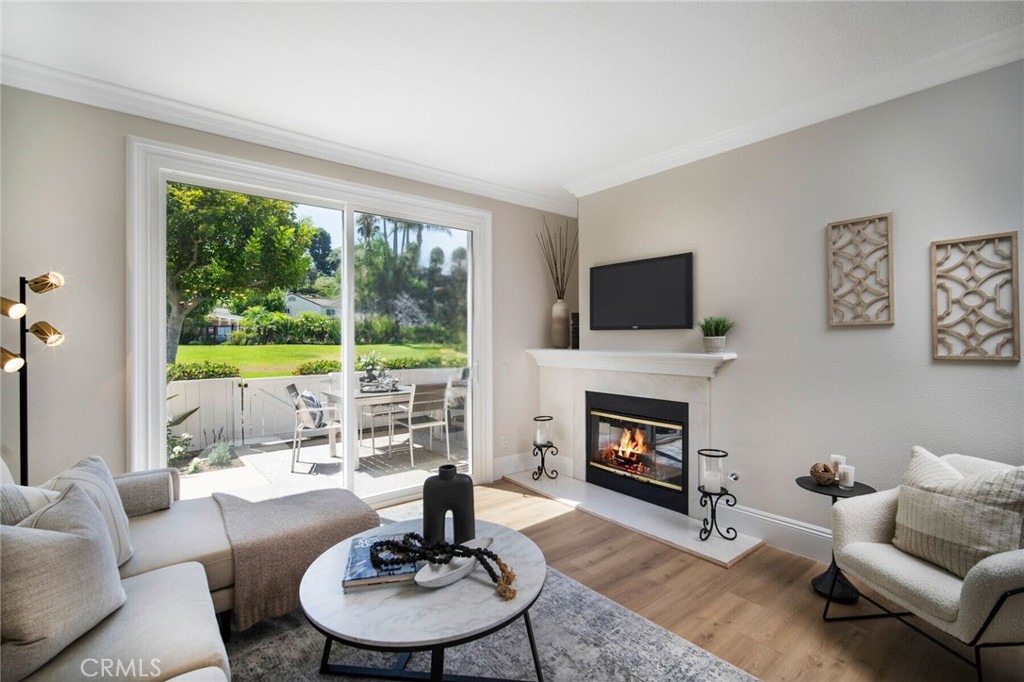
(241, 412)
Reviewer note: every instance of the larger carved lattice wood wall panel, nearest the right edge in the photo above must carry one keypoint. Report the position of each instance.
(975, 300)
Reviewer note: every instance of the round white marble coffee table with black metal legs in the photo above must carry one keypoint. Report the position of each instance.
(407, 618)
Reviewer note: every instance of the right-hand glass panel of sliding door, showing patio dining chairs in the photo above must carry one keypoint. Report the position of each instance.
(413, 352)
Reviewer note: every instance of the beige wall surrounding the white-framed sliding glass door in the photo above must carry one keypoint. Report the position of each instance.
(64, 208)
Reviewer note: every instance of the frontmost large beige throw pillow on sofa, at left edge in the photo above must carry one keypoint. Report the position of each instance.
(60, 580)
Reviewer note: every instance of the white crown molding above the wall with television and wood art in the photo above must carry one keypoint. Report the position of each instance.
(990, 53)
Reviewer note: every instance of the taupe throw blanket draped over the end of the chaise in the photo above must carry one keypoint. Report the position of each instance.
(275, 541)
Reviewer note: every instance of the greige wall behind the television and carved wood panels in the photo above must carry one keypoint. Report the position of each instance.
(948, 162)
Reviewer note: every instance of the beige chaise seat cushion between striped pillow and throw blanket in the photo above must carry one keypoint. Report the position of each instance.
(190, 531)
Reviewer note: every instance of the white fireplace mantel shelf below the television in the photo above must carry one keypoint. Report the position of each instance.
(681, 365)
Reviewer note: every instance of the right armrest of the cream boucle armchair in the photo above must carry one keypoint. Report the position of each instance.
(986, 583)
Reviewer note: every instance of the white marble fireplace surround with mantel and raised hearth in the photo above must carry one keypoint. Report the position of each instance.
(565, 378)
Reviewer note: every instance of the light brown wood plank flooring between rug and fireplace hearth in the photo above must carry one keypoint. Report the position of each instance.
(761, 615)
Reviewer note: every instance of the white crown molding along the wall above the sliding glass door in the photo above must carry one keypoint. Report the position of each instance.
(45, 80)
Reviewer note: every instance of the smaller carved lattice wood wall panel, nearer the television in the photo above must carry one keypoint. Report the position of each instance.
(861, 272)
